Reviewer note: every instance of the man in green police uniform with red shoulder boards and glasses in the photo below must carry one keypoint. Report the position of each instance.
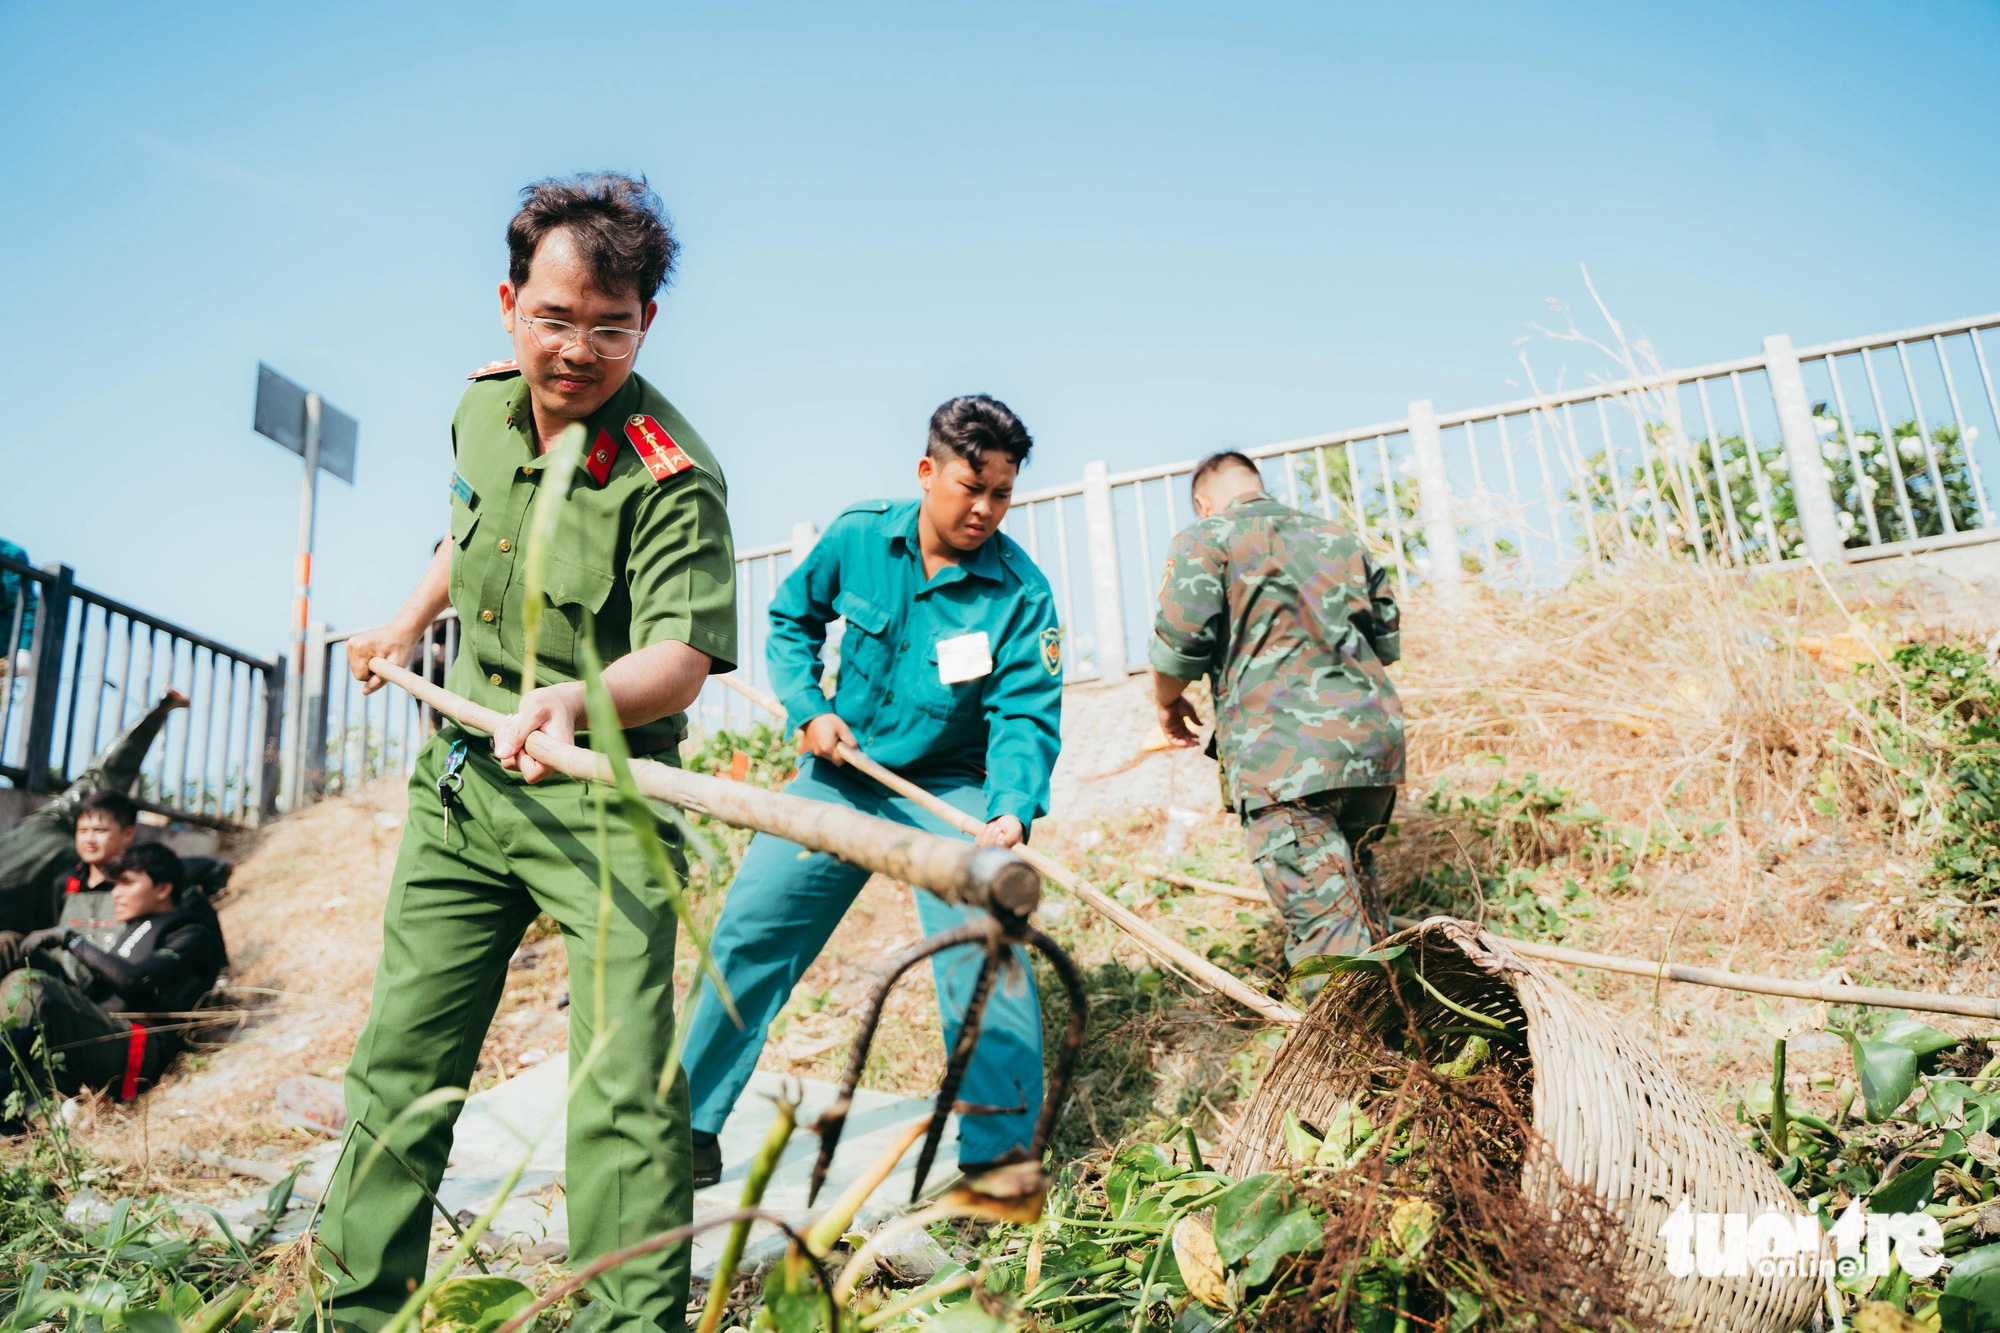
(641, 559)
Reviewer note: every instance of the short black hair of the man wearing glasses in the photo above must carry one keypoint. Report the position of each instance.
(619, 223)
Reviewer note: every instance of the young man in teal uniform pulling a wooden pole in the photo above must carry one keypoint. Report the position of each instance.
(951, 674)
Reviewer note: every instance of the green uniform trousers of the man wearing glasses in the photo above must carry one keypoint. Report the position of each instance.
(457, 910)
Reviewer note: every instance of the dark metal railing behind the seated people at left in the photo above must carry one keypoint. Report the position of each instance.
(81, 668)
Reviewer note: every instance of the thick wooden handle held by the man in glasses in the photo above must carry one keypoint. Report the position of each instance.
(983, 878)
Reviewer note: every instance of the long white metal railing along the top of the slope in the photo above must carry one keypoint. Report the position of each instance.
(1843, 451)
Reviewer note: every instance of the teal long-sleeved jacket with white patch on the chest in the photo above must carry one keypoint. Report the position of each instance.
(1001, 728)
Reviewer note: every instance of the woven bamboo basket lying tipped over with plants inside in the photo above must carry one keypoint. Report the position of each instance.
(1607, 1116)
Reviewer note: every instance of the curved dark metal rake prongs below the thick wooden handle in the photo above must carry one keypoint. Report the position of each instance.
(999, 936)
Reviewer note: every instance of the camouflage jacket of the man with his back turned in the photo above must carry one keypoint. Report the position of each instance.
(1293, 625)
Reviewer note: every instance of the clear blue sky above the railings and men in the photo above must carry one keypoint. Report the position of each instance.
(1151, 229)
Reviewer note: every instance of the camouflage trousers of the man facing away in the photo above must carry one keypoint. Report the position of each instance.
(1317, 864)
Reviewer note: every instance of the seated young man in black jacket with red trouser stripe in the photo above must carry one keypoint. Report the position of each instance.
(113, 1016)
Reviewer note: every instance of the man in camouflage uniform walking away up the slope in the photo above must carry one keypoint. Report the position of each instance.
(1295, 627)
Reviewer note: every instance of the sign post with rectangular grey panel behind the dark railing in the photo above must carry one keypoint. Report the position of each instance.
(325, 439)
